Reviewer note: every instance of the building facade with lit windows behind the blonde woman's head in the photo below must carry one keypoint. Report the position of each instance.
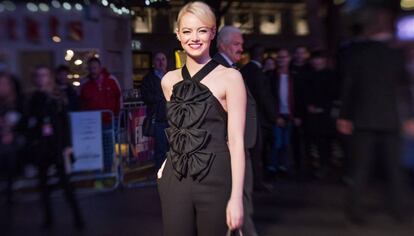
(274, 24)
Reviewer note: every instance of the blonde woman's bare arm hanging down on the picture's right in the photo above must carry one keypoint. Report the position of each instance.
(236, 108)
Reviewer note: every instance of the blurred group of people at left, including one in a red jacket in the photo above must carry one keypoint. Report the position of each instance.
(35, 128)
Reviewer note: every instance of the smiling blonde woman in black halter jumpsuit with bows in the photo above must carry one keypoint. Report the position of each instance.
(201, 182)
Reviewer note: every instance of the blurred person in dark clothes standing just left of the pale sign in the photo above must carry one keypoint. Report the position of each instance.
(48, 138)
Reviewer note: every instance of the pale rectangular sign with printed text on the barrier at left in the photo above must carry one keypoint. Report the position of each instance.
(87, 140)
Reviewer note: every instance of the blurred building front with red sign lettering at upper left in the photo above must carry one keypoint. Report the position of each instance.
(58, 32)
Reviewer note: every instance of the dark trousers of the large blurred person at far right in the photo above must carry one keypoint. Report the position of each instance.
(363, 149)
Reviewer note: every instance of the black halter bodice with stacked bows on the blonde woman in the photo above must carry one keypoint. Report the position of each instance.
(198, 125)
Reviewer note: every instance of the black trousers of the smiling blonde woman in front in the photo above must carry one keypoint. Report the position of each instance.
(196, 207)
